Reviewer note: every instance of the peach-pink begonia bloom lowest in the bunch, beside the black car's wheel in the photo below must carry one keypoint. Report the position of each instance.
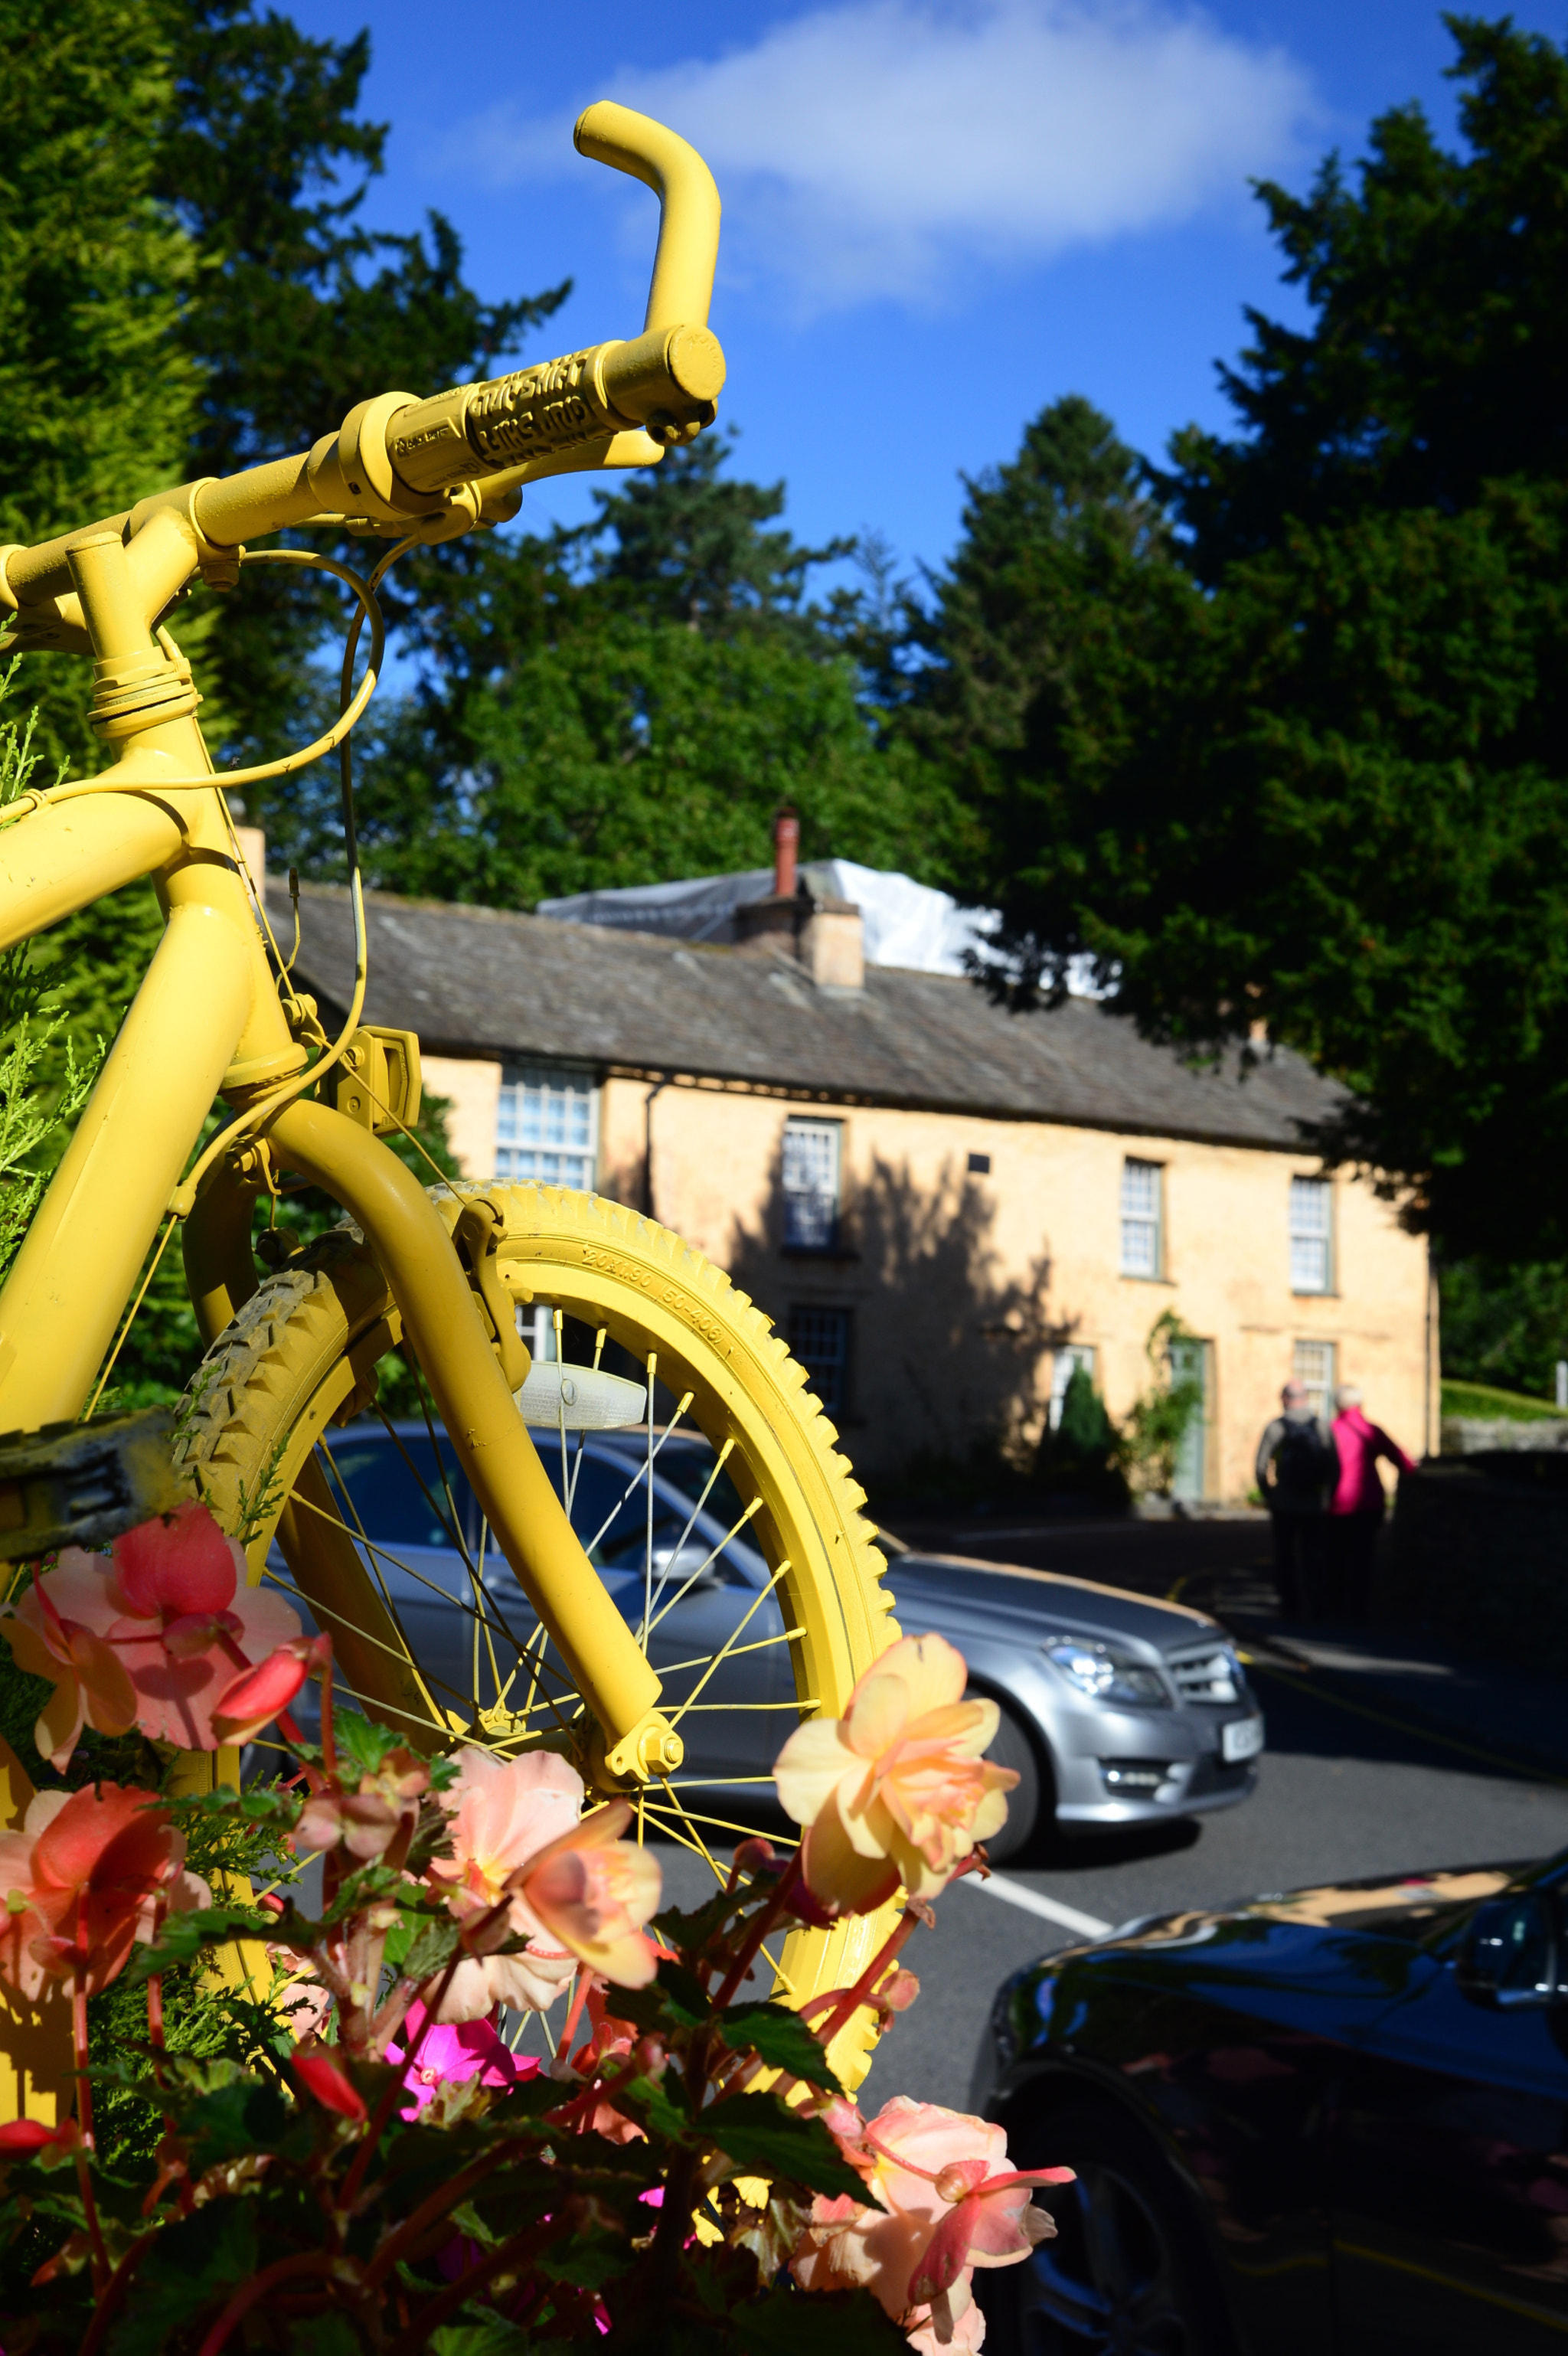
(950, 2204)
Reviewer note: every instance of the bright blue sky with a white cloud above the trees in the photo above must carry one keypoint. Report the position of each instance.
(938, 213)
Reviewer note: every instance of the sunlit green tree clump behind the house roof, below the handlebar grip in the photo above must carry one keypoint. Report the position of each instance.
(627, 703)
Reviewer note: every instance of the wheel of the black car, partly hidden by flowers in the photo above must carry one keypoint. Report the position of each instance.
(1124, 2275)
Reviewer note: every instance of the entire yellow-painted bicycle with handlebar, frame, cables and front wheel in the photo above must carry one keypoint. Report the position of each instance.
(437, 1273)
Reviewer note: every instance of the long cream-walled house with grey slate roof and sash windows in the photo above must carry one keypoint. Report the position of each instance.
(945, 1207)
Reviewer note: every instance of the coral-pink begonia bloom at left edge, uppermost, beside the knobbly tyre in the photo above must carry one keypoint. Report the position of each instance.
(152, 1636)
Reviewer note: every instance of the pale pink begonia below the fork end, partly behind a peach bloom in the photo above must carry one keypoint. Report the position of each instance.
(503, 1815)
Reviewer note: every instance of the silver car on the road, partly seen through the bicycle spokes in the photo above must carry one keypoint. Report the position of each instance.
(1115, 1709)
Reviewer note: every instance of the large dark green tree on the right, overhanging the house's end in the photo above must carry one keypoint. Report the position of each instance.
(1305, 769)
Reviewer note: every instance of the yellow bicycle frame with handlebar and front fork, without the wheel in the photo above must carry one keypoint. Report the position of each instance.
(208, 1019)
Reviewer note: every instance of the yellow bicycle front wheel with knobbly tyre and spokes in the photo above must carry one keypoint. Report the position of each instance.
(731, 1535)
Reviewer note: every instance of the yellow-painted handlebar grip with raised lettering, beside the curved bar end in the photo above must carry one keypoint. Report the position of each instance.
(667, 383)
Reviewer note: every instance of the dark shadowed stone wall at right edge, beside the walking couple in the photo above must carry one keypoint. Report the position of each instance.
(1480, 1556)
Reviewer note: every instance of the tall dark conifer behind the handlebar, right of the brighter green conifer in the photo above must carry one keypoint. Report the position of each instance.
(298, 312)
